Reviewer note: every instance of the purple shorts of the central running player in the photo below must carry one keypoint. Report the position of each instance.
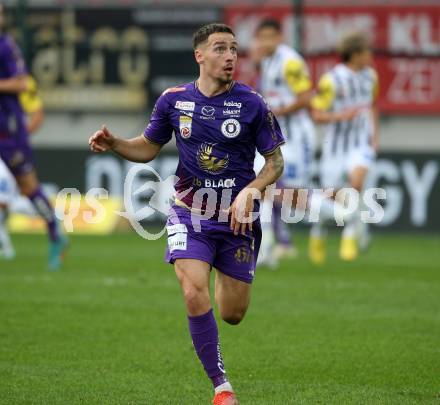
(235, 256)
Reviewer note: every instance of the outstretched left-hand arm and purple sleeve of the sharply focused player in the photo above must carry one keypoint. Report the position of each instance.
(143, 148)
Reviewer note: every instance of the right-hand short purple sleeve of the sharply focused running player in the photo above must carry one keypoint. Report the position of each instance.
(268, 134)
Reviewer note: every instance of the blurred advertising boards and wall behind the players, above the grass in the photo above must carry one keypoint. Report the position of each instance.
(106, 62)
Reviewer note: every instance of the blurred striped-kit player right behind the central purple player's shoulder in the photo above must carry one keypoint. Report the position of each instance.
(285, 83)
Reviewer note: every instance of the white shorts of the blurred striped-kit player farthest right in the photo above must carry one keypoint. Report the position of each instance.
(335, 169)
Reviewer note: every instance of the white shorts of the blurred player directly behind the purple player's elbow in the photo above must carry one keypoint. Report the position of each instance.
(298, 162)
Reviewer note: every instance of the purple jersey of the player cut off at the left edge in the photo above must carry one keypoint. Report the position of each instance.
(12, 121)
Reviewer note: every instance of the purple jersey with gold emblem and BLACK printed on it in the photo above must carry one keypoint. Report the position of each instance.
(216, 137)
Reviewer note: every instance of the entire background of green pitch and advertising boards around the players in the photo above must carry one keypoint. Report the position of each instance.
(109, 328)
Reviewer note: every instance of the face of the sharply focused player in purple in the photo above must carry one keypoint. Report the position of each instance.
(219, 56)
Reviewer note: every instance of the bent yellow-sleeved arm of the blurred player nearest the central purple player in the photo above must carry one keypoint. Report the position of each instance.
(297, 77)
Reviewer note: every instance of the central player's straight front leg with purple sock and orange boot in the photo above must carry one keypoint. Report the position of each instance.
(193, 276)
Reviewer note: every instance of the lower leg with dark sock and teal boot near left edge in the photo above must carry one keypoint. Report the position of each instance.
(30, 187)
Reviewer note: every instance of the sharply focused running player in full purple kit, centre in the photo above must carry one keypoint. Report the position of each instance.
(218, 124)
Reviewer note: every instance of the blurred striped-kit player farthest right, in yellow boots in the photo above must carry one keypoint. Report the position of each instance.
(345, 102)
